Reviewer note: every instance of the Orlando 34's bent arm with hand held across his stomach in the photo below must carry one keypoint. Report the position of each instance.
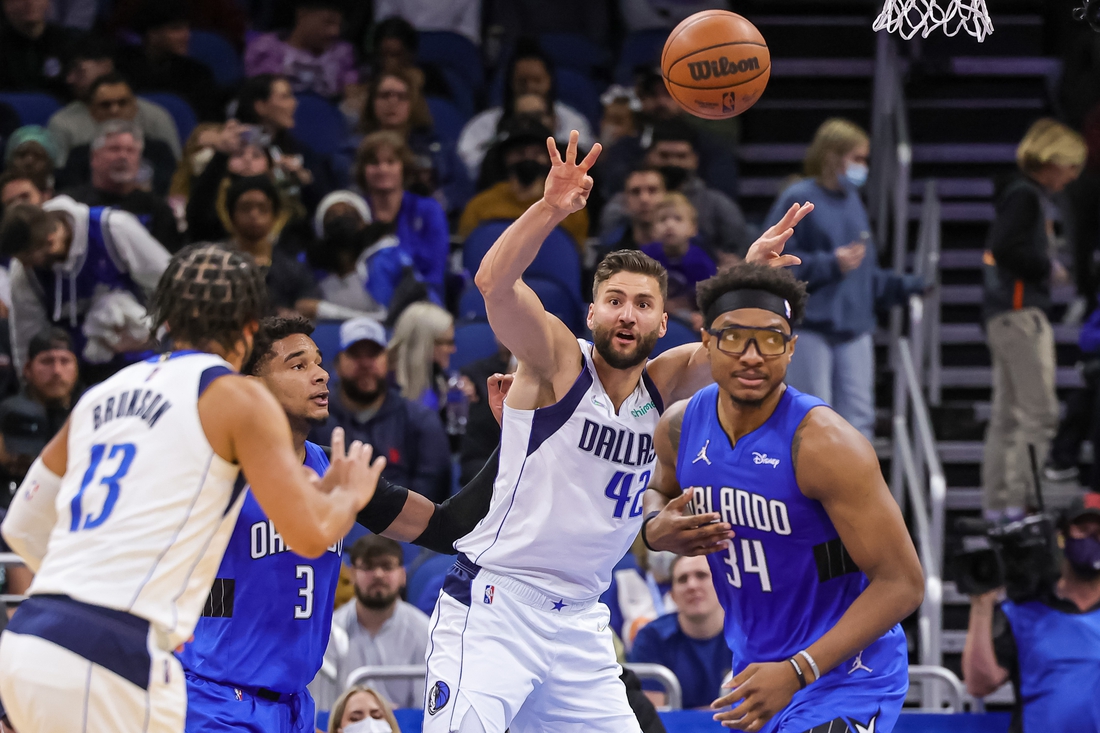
(669, 526)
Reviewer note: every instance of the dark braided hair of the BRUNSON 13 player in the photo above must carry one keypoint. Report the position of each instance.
(210, 294)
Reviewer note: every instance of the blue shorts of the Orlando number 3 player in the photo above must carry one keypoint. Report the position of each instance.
(214, 708)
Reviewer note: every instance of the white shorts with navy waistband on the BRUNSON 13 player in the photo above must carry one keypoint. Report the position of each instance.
(49, 688)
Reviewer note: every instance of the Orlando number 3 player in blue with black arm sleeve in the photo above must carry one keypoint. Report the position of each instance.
(267, 622)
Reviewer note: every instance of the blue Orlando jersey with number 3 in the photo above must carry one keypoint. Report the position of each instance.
(268, 620)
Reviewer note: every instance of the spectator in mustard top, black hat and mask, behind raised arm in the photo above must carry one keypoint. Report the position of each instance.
(527, 161)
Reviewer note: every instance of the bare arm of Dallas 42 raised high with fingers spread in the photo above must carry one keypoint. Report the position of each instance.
(514, 310)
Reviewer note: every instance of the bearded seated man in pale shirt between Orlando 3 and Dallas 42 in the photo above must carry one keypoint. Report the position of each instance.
(381, 629)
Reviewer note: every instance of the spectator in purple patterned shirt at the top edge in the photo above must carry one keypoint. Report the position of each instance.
(312, 58)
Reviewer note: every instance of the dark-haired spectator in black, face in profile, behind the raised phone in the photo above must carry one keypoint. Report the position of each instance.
(268, 102)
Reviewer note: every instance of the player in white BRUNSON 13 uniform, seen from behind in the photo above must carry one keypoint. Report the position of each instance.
(138, 496)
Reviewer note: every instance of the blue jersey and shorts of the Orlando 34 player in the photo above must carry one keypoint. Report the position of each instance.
(786, 578)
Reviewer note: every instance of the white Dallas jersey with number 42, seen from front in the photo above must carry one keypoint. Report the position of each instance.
(568, 500)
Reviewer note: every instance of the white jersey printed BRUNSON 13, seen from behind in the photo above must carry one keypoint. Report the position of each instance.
(146, 508)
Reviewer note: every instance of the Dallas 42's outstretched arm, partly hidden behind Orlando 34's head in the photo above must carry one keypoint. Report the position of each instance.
(681, 373)
